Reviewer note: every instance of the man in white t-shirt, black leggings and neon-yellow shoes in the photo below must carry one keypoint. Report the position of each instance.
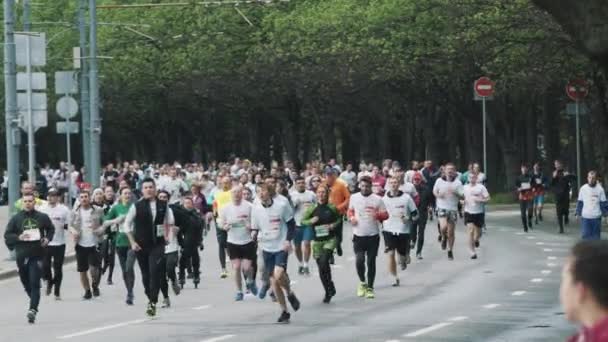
(365, 212)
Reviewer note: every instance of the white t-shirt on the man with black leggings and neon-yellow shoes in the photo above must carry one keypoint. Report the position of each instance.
(364, 207)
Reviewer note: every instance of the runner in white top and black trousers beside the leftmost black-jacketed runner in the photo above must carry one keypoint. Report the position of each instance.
(55, 251)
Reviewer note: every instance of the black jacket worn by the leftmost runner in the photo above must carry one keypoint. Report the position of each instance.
(26, 220)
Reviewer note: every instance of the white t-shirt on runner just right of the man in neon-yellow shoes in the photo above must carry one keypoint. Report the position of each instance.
(399, 213)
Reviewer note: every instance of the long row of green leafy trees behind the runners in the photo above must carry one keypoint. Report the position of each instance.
(356, 79)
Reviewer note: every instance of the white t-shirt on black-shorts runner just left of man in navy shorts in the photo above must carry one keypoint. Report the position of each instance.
(239, 219)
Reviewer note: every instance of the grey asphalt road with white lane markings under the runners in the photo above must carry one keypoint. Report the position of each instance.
(509, 294)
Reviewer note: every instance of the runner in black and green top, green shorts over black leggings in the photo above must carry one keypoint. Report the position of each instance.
(324, 218)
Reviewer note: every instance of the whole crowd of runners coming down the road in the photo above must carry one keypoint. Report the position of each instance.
(158, 215)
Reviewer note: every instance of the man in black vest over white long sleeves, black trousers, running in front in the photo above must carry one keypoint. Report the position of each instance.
(147, 225)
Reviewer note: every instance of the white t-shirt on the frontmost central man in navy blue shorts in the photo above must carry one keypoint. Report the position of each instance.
(272, 224)
